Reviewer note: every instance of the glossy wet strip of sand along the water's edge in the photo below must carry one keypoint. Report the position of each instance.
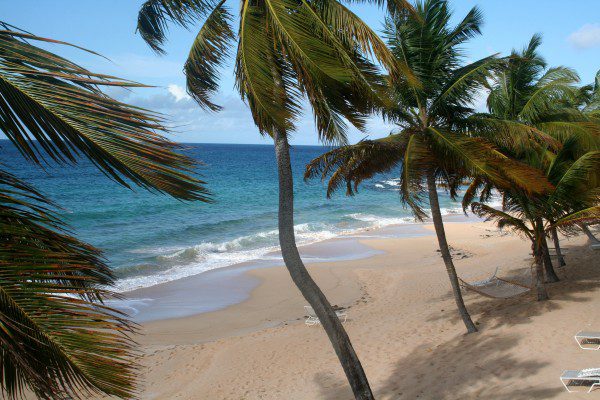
(223, 287)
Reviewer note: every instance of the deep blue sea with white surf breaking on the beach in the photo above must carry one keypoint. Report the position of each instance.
(149, 238)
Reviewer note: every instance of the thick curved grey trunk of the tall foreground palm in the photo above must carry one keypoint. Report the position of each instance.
(309, 289)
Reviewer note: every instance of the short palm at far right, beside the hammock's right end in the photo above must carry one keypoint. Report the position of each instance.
(575, 195)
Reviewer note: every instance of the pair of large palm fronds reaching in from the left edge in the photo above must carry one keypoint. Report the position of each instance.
(58, 339)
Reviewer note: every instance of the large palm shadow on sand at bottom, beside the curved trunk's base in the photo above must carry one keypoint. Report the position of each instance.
(471, 367)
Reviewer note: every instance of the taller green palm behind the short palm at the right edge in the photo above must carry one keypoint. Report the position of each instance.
(540, 105)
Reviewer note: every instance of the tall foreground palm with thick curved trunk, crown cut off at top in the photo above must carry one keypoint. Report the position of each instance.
(287, 51)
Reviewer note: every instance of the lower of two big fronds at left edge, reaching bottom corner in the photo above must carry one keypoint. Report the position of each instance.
(57, 338)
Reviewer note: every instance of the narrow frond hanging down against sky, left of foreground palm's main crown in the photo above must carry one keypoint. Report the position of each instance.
(208, 53)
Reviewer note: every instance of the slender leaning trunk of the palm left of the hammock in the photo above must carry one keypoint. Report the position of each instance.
(438, 223)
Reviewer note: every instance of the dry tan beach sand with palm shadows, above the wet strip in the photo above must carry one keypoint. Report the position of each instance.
(403, 325)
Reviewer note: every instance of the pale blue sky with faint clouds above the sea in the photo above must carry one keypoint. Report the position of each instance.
(570, 29)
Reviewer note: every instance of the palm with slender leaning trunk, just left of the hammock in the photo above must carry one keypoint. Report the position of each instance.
(432, 144)
